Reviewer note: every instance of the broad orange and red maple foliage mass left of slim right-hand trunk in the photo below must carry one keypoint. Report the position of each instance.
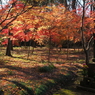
(42, 23)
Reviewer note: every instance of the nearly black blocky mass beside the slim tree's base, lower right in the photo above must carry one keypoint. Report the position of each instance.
(88, 82)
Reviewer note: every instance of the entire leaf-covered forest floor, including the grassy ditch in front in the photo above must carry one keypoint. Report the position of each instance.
(21, 74)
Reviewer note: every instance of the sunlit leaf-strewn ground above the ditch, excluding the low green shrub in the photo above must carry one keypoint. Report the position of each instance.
(21, 68)
